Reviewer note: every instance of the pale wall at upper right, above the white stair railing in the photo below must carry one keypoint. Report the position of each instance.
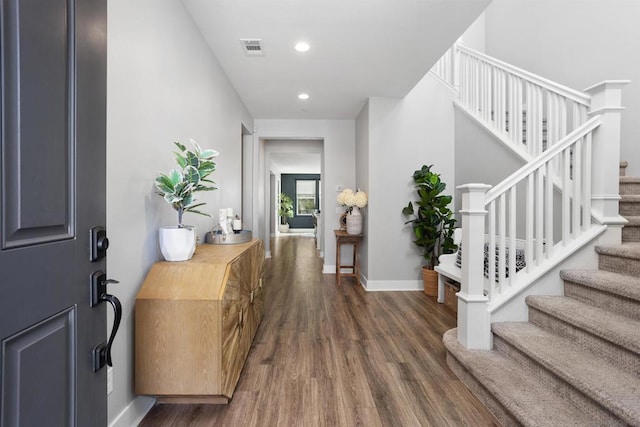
(576, 43)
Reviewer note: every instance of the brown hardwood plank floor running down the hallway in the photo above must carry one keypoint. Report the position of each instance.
(339, 356)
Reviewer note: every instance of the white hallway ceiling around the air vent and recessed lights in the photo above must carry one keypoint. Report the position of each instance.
(359, 49)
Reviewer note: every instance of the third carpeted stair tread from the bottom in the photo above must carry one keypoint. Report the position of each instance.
(605, 324)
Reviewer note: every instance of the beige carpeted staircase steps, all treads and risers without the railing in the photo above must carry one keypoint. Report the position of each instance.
(577, 360)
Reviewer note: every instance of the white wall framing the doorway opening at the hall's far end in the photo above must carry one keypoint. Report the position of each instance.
(337, 168)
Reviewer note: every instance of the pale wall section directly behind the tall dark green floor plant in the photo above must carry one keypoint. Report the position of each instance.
(404, 134)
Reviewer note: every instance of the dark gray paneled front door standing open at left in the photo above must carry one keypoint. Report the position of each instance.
(52, 191)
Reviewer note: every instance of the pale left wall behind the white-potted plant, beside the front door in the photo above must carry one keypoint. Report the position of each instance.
(163, 85)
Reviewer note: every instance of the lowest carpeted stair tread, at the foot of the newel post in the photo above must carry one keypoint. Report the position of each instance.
(526, 399)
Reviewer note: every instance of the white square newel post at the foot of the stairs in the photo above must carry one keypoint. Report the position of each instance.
(474, 326)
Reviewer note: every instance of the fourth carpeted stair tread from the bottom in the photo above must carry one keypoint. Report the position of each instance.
(607, 281)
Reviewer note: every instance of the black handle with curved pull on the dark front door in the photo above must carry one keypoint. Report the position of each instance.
(99, 282)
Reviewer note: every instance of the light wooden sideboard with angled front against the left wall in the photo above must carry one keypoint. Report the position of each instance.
(195, 322)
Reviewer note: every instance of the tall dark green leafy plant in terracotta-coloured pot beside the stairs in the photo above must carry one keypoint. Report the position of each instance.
(432, 222)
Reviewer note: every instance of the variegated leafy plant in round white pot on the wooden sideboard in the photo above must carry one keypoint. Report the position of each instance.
(178, 187)
